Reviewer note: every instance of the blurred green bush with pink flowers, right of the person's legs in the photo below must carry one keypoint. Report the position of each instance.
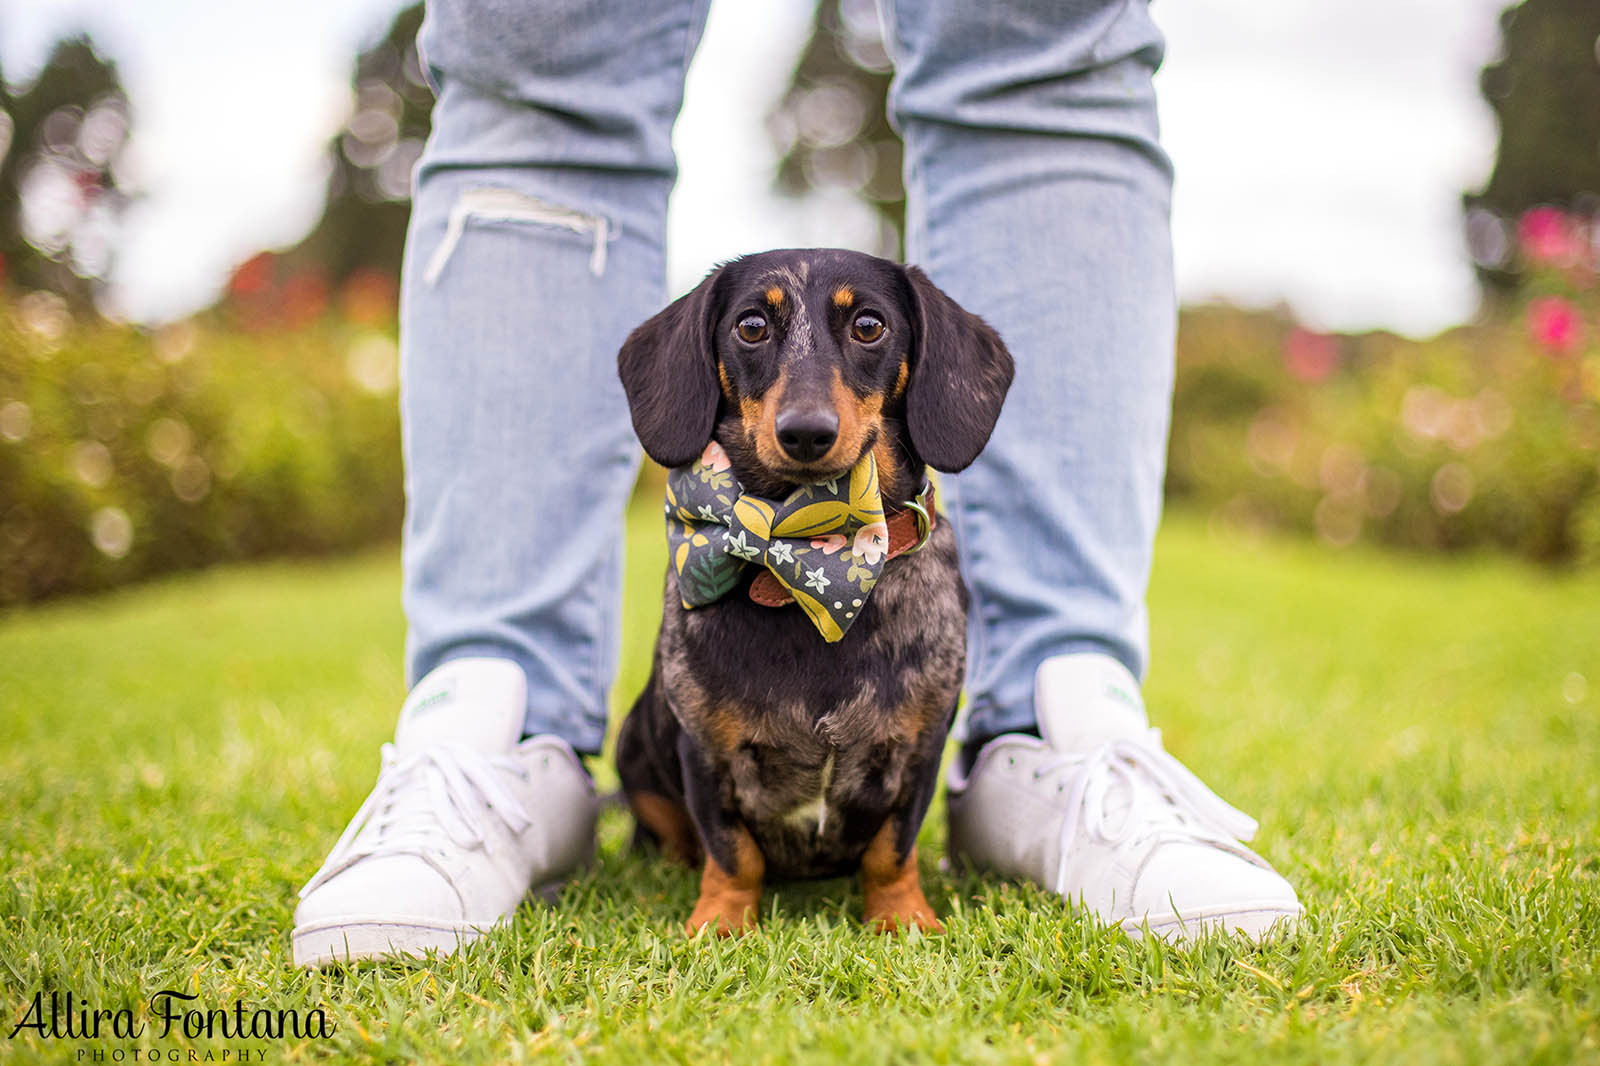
(1487, 436)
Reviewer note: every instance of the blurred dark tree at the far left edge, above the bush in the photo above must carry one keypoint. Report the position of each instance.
(60, 194)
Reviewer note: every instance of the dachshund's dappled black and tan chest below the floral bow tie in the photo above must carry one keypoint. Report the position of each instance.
(814, 742)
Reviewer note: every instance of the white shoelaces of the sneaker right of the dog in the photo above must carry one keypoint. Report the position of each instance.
(1161, 798)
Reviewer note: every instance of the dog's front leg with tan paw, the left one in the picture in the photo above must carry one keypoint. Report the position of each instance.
(732, 880)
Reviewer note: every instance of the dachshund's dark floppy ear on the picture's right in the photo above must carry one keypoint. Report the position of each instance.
(959, 379)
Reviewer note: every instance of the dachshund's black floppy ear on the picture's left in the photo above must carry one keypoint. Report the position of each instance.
(670, 375)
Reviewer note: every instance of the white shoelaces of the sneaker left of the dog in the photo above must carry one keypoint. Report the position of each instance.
(458, 785)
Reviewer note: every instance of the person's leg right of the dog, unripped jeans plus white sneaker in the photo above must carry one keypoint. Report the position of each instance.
(1038, 196)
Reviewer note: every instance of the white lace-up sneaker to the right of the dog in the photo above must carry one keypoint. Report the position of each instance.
(1100, 814)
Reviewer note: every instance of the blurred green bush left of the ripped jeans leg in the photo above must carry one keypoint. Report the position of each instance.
(127, 454)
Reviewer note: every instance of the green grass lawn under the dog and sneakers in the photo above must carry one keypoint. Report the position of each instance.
(1420, 740)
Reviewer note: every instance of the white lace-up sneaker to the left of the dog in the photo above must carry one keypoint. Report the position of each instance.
(463, 824)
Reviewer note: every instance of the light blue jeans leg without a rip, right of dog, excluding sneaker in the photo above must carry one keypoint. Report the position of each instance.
(1038, 196)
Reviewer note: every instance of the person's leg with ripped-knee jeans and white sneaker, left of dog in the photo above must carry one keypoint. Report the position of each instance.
(535, 246)
